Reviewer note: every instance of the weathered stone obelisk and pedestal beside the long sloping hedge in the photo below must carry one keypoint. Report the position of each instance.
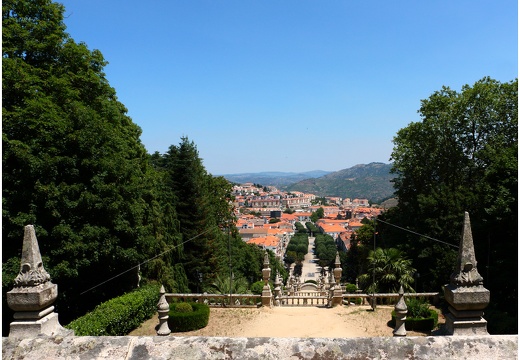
(33, 295)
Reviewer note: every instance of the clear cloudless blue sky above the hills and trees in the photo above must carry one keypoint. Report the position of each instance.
(287, 85)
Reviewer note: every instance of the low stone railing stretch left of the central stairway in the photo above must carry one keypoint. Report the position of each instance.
(219, 300)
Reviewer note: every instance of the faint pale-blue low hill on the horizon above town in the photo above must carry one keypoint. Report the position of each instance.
(274, 178)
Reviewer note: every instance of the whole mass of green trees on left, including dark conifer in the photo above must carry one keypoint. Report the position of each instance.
(75, 168)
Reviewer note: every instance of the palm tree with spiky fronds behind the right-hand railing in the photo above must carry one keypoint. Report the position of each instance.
(388, 269)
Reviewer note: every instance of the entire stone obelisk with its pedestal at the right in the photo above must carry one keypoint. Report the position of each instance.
(465, 293)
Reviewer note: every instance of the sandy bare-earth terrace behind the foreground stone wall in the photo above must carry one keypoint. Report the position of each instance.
(353, 321)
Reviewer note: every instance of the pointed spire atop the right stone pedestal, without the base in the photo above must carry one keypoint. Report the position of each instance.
(466, 273)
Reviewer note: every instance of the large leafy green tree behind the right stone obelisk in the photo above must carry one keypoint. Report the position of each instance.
(462, 156)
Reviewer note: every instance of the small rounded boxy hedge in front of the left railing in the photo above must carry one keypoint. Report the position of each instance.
(188, 321)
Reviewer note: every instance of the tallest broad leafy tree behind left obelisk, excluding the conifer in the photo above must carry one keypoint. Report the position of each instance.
(73, 164)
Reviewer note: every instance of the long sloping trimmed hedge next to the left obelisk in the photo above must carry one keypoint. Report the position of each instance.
(119, 316)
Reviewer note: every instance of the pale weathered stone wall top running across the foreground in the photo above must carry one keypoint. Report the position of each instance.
(170, 347)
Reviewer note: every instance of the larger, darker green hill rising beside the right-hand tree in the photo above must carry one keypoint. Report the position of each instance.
(370, 181)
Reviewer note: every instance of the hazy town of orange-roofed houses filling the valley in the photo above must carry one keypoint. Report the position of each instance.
(262, 216)
